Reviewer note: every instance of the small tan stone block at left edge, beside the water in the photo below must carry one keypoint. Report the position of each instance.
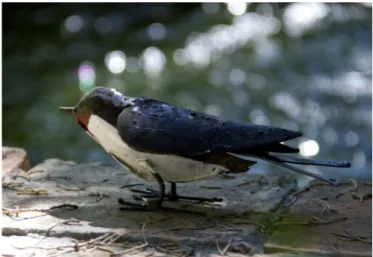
(14, 158)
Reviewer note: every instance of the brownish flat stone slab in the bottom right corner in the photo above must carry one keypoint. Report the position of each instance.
(348, 210)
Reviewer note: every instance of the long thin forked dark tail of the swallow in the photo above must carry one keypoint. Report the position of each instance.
(280, 161)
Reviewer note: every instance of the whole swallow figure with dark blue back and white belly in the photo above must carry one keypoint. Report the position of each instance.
(164, 143)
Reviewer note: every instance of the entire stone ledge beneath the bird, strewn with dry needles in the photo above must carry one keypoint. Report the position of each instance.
(252, 219)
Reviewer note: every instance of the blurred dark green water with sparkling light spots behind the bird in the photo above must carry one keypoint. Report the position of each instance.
(300, 66)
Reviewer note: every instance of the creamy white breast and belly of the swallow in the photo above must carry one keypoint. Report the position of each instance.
(169, 167)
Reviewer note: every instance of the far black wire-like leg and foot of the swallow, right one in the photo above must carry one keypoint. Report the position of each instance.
(172, 195)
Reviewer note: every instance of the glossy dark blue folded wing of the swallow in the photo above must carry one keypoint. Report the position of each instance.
(157, 127)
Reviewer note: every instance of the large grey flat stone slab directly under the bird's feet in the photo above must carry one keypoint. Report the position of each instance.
(95, 188)
